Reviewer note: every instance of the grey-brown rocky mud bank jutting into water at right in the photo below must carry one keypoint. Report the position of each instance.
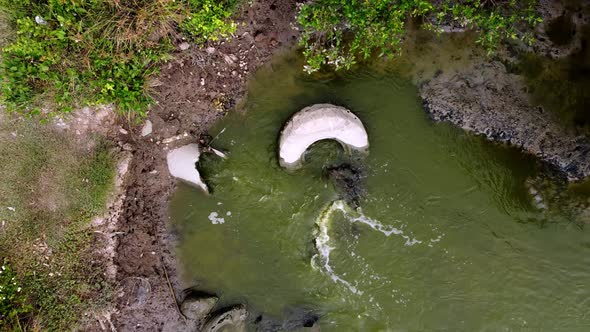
(485, 99)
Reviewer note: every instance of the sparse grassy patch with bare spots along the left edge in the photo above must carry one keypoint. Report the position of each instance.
(48, 198)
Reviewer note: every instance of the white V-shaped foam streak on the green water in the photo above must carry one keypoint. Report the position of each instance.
(322, 259)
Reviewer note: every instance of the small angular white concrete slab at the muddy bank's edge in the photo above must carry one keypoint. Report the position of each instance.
(182, 165)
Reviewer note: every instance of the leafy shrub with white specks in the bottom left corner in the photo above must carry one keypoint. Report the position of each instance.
(13, 302)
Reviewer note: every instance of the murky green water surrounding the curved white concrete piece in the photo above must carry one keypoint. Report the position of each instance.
(447, 238)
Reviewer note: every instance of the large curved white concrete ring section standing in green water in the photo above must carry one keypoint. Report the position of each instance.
(320, 122)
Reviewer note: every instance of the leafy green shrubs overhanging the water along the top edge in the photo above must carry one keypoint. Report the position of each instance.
(340, 32)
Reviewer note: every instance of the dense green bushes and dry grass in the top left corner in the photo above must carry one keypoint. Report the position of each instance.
(98, 51)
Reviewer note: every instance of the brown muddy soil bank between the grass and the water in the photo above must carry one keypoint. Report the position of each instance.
(200, 86)
